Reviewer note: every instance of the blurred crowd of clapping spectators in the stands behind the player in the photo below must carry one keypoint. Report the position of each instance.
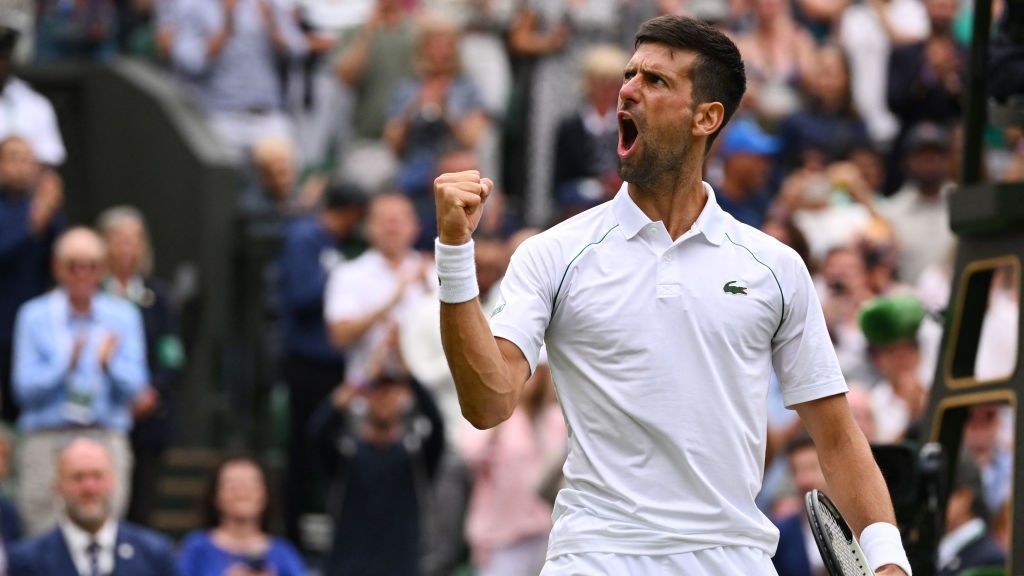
(846, 147)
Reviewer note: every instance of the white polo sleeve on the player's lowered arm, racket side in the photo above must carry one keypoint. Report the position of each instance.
(803, 356)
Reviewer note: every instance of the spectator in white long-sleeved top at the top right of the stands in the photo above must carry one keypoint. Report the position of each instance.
(869, 32)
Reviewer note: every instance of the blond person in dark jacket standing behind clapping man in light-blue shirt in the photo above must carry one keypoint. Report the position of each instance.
(131, 268)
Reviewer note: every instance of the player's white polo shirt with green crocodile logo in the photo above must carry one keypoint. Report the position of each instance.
(662, 354)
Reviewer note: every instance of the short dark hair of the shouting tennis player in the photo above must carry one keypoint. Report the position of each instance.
(718, 74)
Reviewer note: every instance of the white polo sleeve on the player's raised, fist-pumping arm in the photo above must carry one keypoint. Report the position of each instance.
(527, 295)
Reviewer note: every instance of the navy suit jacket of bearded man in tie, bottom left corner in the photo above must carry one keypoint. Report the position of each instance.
(139, 553)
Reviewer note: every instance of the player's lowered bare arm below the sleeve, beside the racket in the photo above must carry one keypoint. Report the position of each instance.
(855, 479)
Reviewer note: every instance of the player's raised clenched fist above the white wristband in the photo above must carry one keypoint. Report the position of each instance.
(460, 199)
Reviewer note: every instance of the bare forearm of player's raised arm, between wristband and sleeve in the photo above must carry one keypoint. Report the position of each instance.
(488, 390)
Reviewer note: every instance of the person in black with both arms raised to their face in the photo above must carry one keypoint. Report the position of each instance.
(382, 443)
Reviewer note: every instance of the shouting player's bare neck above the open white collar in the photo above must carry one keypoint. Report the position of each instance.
(676, 203)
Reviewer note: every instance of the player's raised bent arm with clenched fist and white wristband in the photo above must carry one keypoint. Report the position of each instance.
(489, 374)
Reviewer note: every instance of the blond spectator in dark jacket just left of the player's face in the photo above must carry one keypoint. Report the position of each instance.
(586, 166)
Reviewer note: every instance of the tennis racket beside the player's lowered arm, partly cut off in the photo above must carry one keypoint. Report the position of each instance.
(840, 551)
